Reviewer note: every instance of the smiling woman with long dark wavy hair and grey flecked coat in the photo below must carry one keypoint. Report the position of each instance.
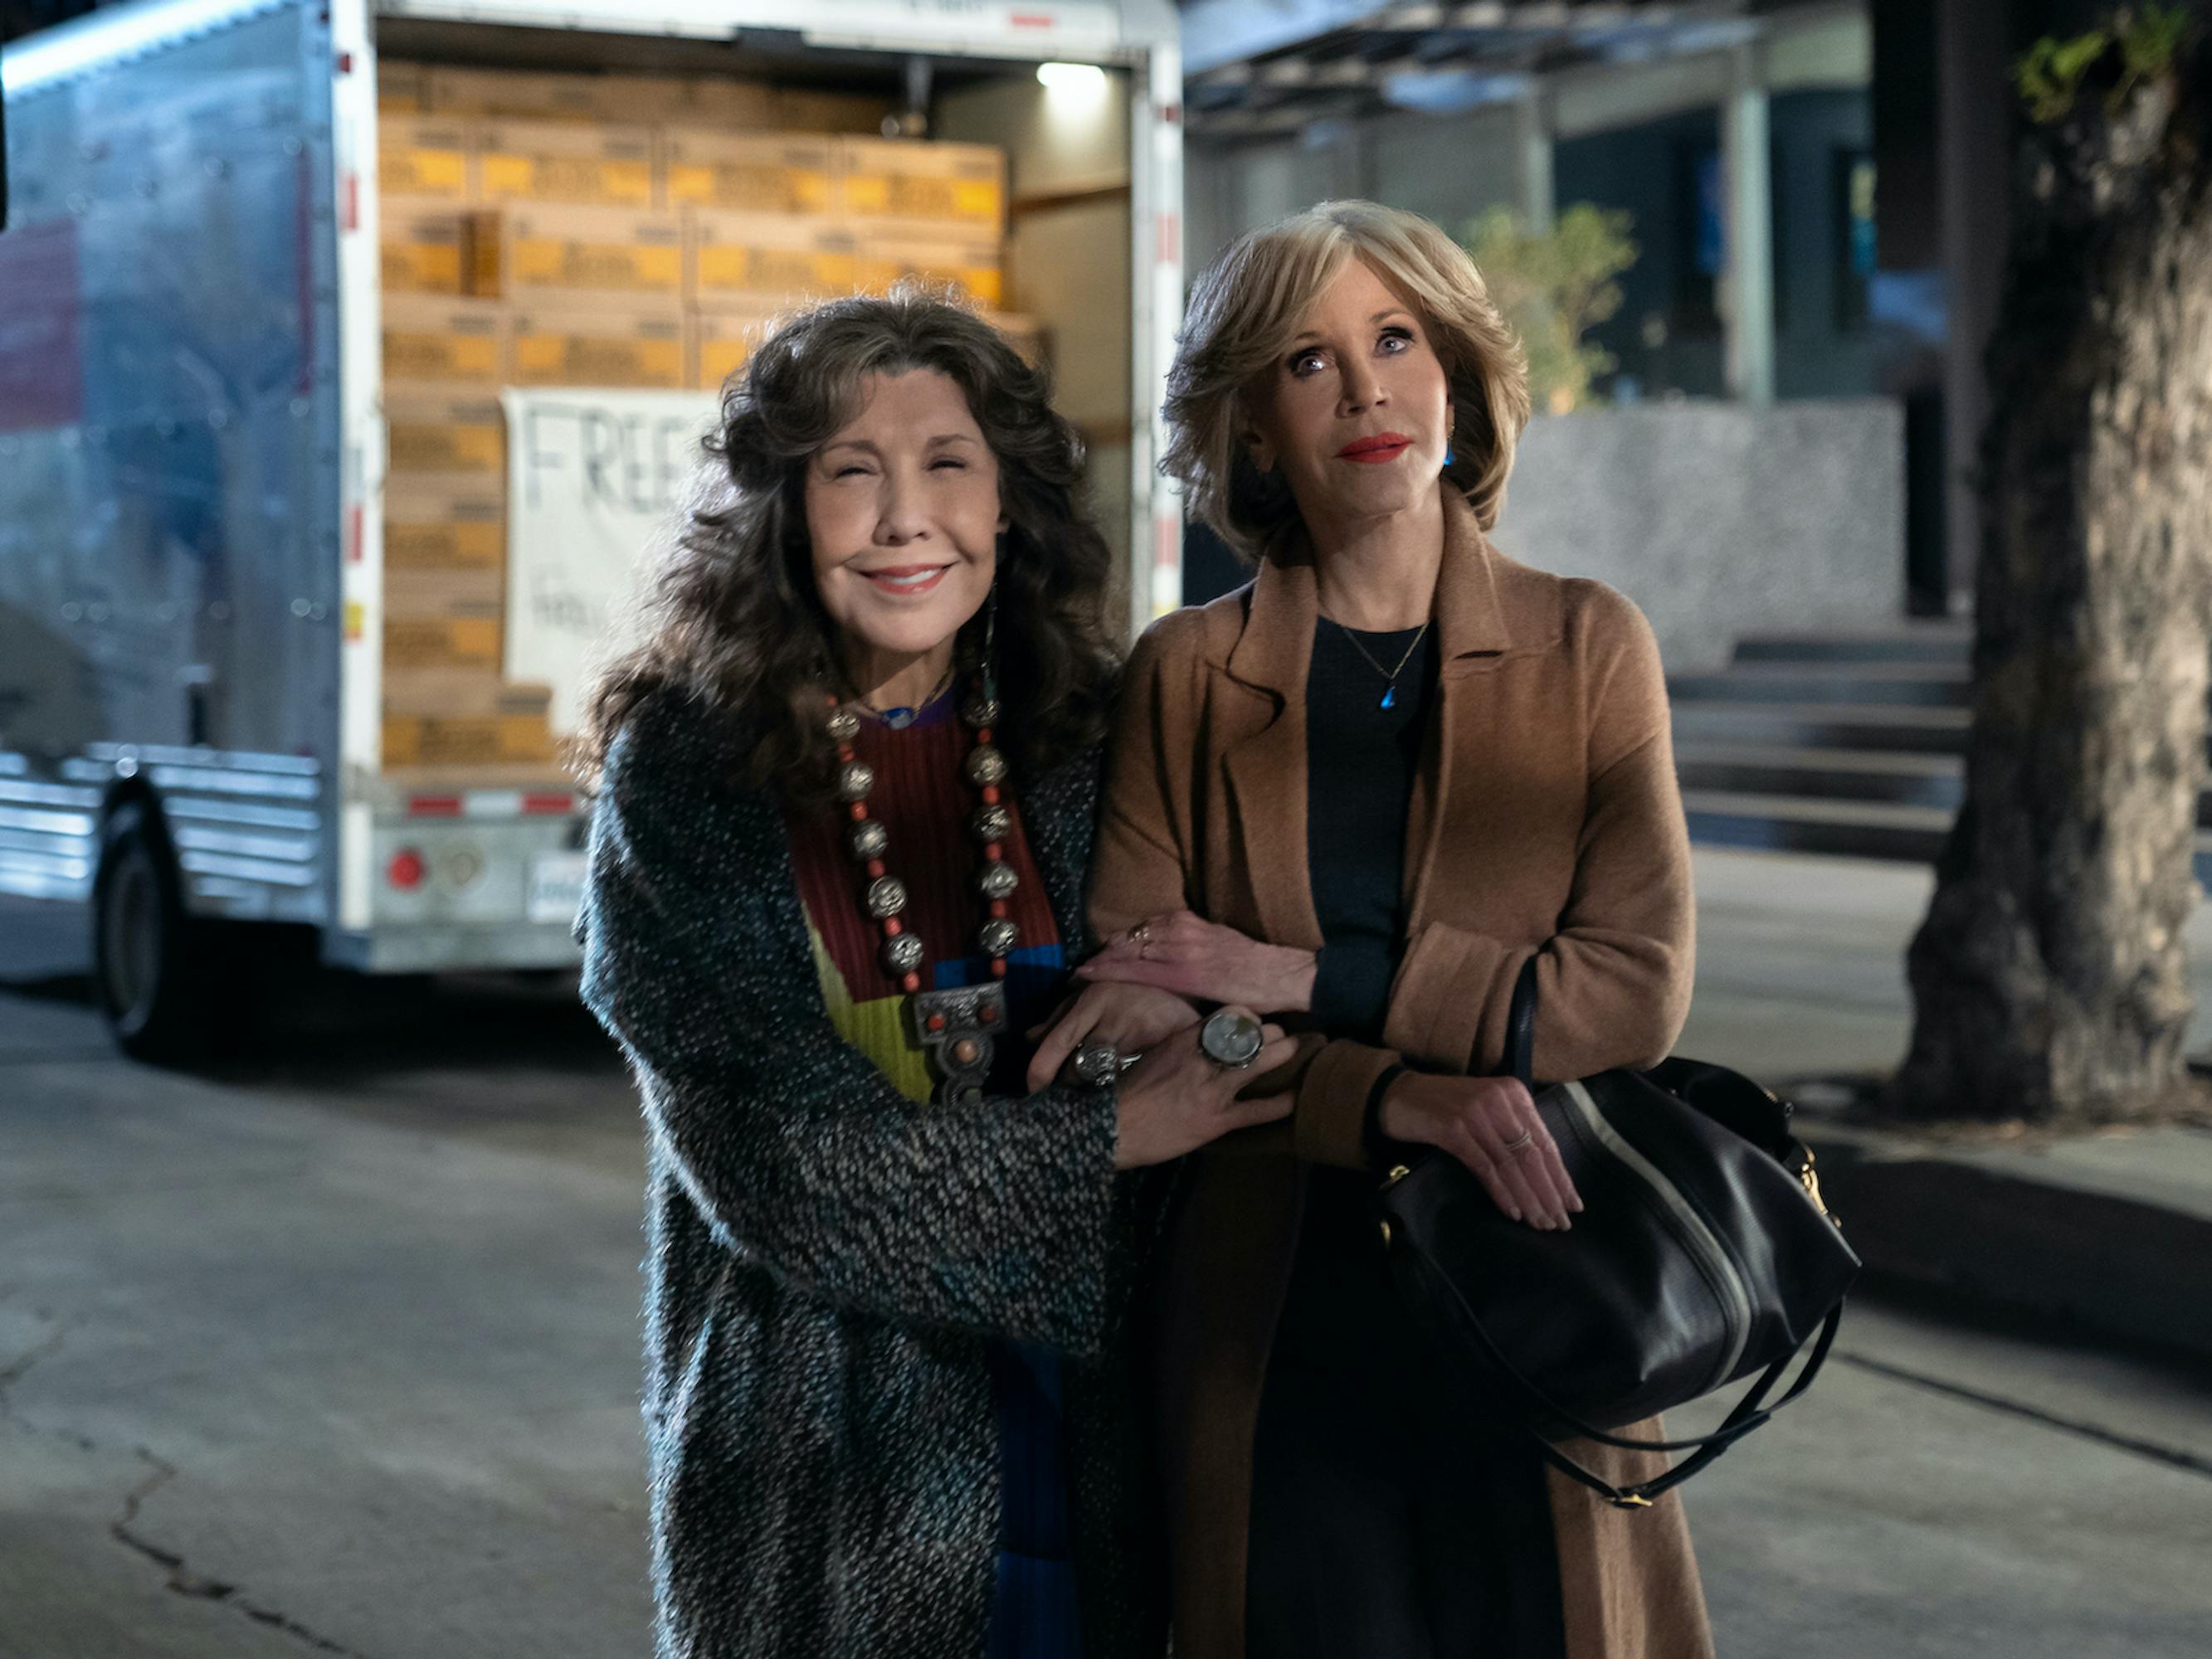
(888, 1399)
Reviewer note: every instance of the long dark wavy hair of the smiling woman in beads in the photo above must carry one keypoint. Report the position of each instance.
(735, 625)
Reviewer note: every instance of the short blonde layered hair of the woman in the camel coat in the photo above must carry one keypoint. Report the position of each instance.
(1251, 306)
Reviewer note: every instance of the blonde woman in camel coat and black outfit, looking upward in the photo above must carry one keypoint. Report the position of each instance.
(1359, 795)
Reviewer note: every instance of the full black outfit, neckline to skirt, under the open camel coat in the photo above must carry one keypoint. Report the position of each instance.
(1392, 1519)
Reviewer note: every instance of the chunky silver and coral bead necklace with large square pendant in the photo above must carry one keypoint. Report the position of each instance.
(954, 1025)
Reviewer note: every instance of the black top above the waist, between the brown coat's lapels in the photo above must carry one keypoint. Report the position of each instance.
(1359, 789)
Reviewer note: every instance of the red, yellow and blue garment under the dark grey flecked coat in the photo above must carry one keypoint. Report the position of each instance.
(926, 804)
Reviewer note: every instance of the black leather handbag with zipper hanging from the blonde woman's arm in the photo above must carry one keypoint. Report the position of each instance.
(1704, 1255)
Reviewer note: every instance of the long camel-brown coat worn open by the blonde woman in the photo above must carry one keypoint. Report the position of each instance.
(1545, 822)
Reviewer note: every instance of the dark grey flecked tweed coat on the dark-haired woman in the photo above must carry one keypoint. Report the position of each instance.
(828, 1258)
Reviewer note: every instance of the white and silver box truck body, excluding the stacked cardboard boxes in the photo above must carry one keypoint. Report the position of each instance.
(196, 446)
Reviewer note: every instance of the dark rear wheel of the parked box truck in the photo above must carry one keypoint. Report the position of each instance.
(154, 983)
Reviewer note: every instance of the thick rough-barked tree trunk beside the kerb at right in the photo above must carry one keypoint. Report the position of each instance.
(2049, 977)
